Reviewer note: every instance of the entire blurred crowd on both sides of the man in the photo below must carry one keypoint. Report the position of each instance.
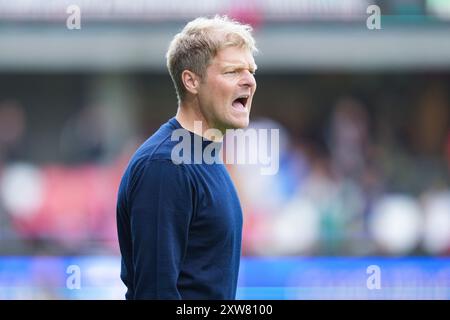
(368, 179)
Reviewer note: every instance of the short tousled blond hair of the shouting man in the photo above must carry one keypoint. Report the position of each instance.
(198, 43)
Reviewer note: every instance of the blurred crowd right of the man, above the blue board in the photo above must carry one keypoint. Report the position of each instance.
(363, 193)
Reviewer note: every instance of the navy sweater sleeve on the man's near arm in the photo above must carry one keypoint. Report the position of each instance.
(161, 209)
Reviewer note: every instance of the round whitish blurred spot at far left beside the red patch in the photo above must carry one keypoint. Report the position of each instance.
(21, 188)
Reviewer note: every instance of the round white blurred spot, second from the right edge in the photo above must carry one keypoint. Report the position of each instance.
(396, 224)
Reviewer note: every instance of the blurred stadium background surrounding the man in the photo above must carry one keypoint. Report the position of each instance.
(364, 119)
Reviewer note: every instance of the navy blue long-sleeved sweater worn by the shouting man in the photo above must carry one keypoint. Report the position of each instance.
(179, 225)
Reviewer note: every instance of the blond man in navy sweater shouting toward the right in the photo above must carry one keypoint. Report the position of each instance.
(180, 225)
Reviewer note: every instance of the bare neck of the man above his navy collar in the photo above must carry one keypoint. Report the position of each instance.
(188, 113)
